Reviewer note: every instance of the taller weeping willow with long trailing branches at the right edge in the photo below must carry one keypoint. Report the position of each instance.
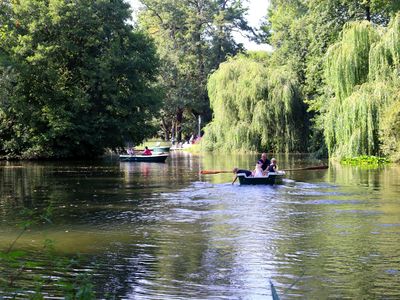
(362, 71)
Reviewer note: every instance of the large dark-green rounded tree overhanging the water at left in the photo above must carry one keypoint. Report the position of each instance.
(81, 78)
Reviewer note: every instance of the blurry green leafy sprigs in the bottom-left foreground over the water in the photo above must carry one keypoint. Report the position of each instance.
(14, 264)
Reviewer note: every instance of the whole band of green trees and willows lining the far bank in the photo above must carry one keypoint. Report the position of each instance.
(79, 79)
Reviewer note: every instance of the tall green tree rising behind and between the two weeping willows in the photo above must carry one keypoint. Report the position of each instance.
(301, 33)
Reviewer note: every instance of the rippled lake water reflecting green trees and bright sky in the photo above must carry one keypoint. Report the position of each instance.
(162, 231)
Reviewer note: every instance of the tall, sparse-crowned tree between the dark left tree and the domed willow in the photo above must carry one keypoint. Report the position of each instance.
(192, 38)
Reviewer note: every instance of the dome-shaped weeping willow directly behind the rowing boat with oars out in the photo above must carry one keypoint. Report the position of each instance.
(255, 108)
